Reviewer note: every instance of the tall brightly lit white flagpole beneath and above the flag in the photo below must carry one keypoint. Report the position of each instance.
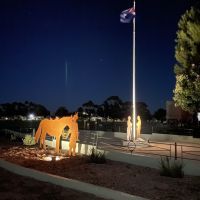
(134, 82)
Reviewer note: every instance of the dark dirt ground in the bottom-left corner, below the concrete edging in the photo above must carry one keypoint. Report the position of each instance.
(15, 187)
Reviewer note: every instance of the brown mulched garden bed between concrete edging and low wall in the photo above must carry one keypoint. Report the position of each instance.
(136, 180)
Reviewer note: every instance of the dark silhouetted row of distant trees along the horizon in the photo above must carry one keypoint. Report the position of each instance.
(113, 107)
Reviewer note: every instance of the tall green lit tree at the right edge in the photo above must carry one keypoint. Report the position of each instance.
(187, 67)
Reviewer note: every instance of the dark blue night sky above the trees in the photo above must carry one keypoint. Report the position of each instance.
(38, 38)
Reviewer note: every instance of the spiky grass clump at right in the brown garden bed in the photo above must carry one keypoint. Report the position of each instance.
(171, 169)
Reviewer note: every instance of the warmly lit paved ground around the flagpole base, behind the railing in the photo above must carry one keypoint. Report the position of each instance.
(109, 142)
